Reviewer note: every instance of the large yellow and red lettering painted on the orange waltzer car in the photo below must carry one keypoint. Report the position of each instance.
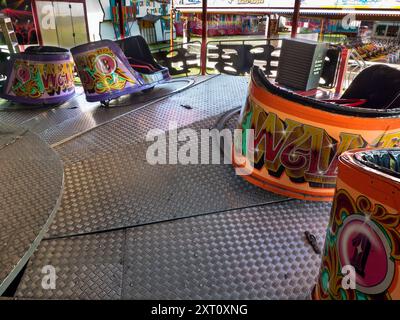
(306, 154)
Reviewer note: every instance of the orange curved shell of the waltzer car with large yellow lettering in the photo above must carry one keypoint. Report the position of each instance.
(297, 139)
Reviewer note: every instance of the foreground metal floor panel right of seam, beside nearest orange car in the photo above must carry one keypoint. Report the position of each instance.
(255, 253)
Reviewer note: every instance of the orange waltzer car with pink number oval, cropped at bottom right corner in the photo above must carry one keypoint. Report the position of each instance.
(361, 257)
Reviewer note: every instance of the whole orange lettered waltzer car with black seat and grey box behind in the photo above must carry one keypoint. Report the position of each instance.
(300, 132)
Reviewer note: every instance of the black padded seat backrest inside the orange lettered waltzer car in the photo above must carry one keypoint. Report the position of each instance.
(379, 85)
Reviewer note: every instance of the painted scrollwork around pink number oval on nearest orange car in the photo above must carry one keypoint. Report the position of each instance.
(365, 236)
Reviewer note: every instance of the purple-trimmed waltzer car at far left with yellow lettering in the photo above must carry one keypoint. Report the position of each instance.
(40, 76)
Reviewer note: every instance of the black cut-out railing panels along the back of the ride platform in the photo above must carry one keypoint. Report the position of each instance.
(234, 57)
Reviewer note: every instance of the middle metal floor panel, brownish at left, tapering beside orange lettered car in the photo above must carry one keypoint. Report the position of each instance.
(121, 189)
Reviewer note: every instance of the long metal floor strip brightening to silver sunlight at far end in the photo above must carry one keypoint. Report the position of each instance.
(206, 100)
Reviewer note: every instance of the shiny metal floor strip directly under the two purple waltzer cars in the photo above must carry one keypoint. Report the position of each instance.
(56, 124)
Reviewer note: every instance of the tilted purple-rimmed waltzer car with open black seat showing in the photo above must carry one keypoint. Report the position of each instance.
(106, 73)
